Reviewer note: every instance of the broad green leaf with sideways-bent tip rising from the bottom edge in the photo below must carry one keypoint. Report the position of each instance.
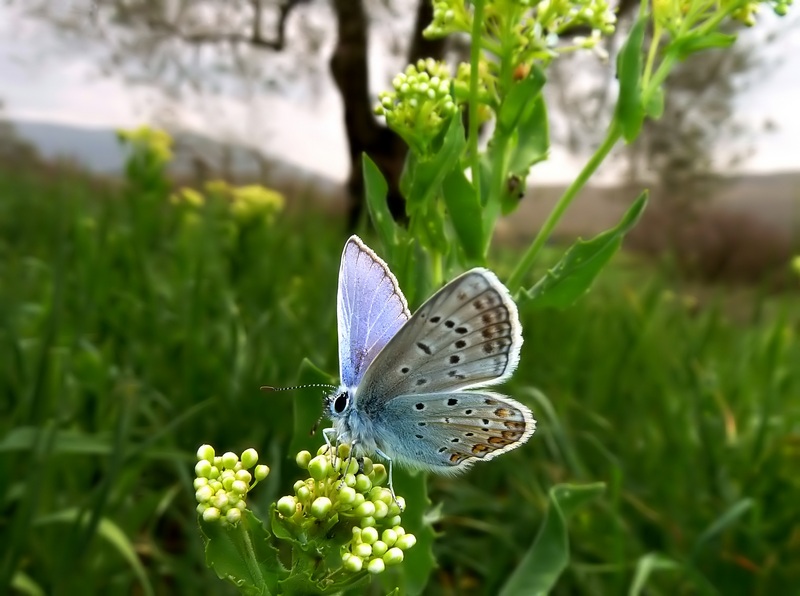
(547, 558)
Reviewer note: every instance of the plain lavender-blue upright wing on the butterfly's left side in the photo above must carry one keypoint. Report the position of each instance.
(370, 309)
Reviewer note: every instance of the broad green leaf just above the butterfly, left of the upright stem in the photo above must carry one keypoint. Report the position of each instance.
(465, 213)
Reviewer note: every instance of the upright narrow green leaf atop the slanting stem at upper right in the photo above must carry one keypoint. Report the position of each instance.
(630, 112)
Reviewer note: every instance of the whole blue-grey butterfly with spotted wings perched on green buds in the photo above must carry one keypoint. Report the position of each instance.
(411, 387)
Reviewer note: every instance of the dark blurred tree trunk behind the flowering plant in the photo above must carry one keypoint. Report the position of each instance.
(350, 71)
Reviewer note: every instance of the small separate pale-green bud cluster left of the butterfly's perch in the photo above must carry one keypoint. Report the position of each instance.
(222, 483)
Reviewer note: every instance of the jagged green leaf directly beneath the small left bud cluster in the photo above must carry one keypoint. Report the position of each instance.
(243, 554)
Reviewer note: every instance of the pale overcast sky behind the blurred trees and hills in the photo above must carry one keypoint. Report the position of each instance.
(44, 79)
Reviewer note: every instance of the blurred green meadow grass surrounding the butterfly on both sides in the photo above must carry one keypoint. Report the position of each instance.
(128, 337)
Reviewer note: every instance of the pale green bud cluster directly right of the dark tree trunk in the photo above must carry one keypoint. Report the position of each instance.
(421, 103)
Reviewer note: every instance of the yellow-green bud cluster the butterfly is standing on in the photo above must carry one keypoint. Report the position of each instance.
(343, 490)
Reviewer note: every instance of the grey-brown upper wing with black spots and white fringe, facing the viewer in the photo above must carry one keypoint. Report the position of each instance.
(466, 335)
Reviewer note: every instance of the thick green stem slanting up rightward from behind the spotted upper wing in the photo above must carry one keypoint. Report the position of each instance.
(526, 262)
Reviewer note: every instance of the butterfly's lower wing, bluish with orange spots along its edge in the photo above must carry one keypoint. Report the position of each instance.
(448, 432)
